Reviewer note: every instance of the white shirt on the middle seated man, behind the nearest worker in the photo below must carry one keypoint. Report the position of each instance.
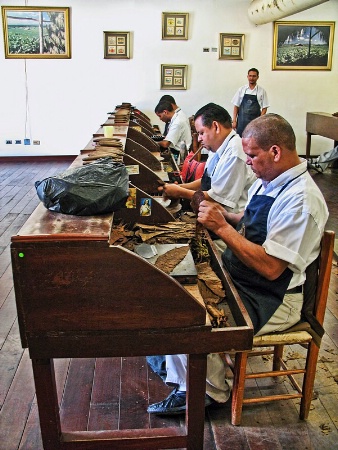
(230, 176)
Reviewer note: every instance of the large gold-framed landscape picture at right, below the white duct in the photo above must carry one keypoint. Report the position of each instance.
(302, 45)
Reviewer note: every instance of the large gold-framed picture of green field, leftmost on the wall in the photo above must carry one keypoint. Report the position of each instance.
(32, 32)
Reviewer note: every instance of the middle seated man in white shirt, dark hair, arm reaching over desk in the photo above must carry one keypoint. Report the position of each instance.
(226, 178)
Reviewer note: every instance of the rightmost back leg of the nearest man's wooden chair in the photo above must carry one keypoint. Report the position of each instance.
(309, 379)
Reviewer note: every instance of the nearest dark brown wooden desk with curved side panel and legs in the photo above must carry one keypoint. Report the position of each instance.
(80, 297)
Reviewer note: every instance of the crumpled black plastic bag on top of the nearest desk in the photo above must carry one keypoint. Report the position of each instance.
(96, 188)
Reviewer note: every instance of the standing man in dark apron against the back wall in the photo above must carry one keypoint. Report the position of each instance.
(250, 101)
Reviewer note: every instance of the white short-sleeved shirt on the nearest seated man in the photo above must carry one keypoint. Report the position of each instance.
(296, 220)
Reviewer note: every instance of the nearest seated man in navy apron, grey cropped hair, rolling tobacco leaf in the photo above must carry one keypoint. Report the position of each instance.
(276, 237)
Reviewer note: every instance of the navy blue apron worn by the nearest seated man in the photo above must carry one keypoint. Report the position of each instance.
(260, 296)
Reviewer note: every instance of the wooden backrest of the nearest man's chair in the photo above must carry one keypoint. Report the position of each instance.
(317, 285)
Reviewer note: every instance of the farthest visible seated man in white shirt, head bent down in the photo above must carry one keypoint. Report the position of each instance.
(179, 132)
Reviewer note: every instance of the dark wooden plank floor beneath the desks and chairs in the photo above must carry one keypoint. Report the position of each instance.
(114, 393)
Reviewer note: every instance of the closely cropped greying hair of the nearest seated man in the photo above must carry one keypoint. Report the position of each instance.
(271, 129)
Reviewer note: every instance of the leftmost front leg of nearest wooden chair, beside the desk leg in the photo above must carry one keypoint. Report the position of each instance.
(238, 387)
